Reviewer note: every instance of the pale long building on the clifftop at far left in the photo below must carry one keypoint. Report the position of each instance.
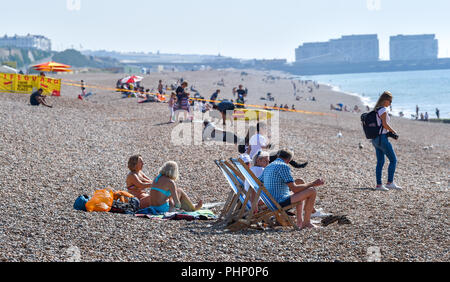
(29, 41)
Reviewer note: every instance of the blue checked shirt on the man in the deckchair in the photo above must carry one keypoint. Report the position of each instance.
(275, 177)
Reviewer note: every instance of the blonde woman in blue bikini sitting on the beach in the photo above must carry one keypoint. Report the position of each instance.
(164, 193)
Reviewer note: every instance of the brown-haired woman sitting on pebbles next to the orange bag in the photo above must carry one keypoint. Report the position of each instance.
(137, 181)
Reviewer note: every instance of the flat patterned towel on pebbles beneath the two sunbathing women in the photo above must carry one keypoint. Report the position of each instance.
(202, 214)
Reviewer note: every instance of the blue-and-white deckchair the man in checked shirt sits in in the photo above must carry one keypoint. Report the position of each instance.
(273, 208)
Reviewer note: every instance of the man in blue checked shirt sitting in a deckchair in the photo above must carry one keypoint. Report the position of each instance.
(278, 180)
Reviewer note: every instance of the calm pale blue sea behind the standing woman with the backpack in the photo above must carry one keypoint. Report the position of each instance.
(428, 89)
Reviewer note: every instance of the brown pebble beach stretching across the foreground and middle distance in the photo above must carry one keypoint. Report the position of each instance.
(48, 157)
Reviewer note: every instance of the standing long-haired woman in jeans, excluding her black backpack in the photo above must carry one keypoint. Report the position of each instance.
(382, 145)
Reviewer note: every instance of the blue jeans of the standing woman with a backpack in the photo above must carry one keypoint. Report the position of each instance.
(384, 148)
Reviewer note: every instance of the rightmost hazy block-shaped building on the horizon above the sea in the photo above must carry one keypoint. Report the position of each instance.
(413, 47)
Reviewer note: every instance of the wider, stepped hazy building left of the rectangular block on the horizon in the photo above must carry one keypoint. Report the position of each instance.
(350, 48)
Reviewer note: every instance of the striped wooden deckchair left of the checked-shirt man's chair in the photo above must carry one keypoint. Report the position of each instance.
(238, 198)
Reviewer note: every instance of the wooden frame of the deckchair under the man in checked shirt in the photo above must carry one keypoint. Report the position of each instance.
(278, 211)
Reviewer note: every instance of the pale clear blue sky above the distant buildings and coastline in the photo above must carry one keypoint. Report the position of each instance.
(261, 29)
